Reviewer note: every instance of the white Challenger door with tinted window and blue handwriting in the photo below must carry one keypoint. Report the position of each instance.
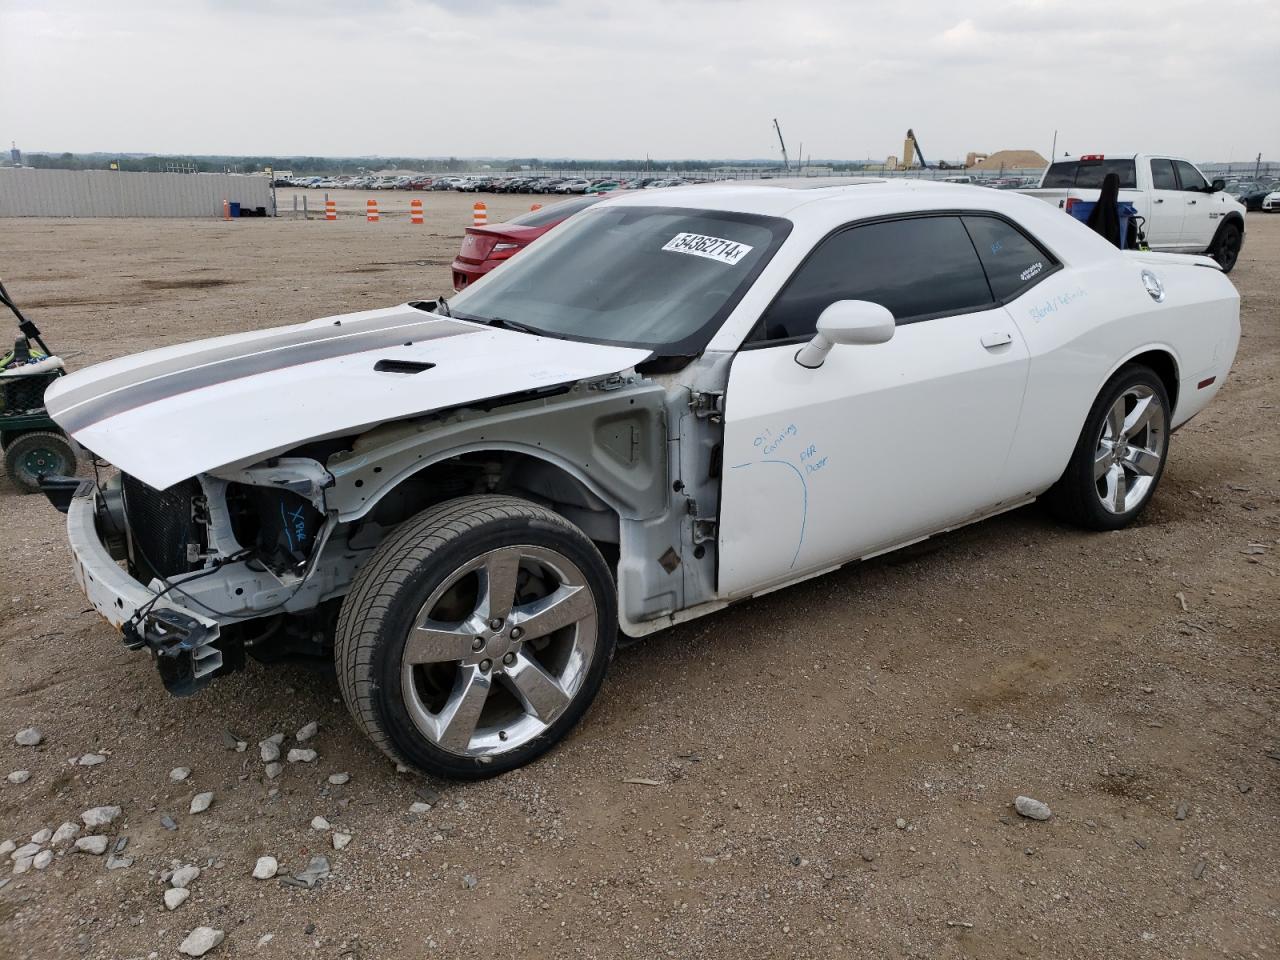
(883, 444)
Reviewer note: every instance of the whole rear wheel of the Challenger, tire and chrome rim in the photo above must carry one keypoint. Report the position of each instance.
(1121, 455)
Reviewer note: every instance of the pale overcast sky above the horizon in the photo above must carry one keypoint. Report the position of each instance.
(671, 79)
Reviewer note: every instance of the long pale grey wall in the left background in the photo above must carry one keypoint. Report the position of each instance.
(26, 193)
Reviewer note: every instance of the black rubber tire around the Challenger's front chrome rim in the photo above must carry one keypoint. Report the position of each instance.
(403, 575)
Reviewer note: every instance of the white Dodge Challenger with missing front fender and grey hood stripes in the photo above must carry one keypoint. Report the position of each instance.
(675, 401)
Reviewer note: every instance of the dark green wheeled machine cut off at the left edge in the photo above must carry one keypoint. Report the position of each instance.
(34, 445)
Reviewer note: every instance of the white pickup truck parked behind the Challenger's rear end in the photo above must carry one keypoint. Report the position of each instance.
(1183, 212)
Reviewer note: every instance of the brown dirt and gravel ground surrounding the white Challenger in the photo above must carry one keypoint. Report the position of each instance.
(774, 747)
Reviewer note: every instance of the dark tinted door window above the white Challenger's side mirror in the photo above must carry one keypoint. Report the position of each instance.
(918, 268)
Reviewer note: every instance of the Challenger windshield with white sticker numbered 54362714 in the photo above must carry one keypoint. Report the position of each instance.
(659, 278)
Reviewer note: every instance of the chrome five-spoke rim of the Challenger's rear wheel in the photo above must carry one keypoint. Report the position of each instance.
(1130, 449)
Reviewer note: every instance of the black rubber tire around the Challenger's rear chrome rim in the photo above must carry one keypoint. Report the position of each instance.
(1076, 499)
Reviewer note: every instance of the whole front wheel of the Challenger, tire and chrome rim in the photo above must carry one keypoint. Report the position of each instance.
(477, 637)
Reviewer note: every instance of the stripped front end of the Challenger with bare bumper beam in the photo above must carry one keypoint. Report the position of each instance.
(212, 569)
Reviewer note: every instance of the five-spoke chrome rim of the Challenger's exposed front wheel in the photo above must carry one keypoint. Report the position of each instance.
(500, 651)
